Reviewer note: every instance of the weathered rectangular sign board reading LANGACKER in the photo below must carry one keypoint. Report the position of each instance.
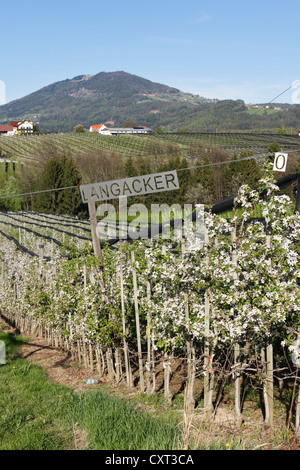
(135, 186)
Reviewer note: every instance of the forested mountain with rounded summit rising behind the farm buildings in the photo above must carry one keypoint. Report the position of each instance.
(116, 97)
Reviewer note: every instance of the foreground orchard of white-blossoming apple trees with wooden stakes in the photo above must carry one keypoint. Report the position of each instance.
(211, 327)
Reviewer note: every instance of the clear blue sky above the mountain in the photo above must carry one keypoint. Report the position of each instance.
(218, 49)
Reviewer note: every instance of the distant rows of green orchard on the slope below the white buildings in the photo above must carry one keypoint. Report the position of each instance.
(184, 144)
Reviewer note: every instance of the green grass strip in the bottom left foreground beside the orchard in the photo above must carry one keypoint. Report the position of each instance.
(37, 414)
